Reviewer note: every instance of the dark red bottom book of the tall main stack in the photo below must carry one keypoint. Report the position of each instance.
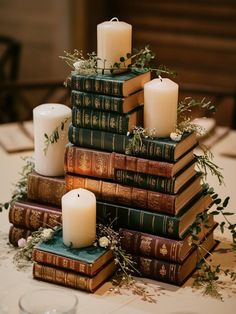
(174, 273)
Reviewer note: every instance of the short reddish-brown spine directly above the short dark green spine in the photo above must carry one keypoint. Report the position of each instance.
(154, 167)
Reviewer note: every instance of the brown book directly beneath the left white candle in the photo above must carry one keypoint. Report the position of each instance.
(45, 190)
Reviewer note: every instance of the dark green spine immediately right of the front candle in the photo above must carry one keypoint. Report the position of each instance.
(139, 220)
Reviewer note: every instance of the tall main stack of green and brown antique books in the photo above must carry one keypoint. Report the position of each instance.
(152, 196)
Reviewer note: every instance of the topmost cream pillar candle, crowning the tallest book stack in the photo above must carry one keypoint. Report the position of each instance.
(114, 40)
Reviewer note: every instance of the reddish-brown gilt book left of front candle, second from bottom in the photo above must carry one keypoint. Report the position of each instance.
(32, 216)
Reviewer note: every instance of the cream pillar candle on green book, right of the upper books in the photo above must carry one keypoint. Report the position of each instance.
(160, 106)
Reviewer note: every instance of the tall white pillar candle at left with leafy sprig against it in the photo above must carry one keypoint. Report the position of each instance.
(49, 159)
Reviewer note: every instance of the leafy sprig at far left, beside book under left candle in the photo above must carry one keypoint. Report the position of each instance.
(20, 187)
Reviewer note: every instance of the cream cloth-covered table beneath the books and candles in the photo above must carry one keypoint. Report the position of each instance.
(169, 299)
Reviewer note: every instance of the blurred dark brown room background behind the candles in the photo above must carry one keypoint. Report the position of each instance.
(197, 39)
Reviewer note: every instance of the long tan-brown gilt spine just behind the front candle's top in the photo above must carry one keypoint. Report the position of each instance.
(123, 194)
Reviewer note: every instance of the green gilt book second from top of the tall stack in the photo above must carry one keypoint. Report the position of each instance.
(108, 103)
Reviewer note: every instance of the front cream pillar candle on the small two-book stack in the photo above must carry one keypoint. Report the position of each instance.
(79, 218)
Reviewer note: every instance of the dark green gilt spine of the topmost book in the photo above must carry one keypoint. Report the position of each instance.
(96, 85)
